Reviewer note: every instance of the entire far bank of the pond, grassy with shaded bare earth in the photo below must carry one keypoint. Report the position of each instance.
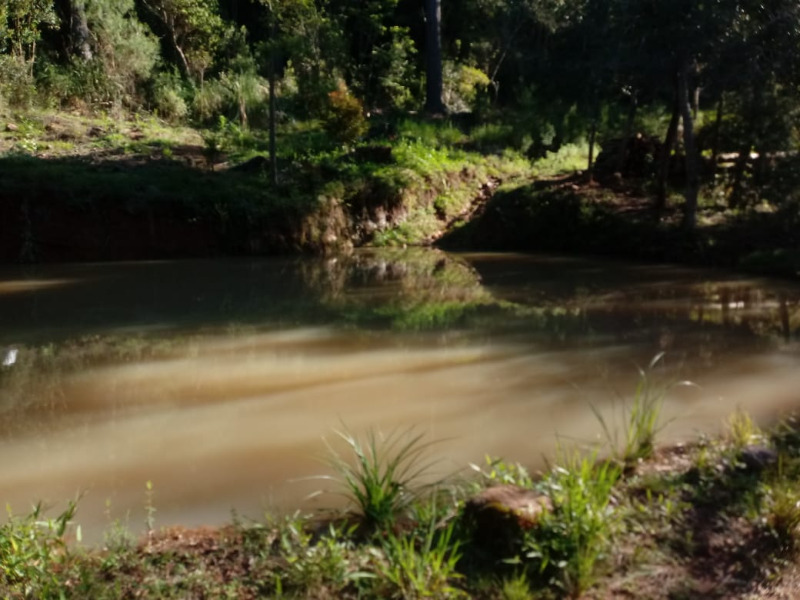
(88, 188)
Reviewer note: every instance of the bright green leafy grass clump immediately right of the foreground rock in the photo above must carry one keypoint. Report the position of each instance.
(571, 539)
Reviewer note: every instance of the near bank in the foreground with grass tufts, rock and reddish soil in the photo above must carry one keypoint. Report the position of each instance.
(714, 518)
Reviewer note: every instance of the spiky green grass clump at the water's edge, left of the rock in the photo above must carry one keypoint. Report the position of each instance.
(384, 478)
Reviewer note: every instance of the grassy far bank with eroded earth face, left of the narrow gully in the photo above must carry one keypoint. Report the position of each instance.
(86, 188)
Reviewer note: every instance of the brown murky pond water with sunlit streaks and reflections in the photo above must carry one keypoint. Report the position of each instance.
(218, 380)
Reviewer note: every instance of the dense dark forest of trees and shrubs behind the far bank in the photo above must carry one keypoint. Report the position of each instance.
(695, 98)
